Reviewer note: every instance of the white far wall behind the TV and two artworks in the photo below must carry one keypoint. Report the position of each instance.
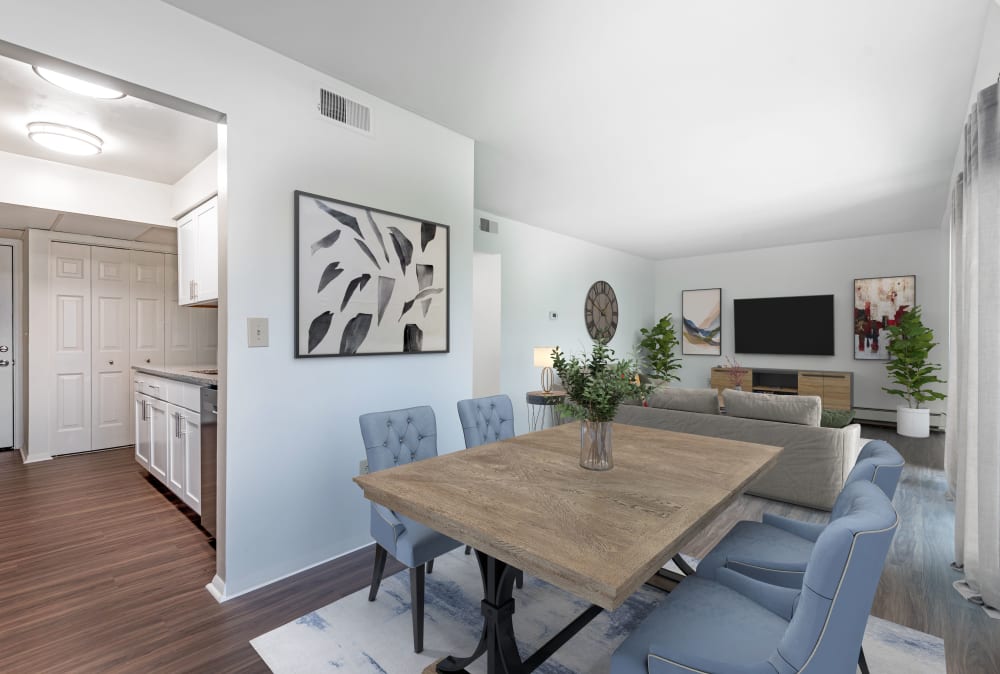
(814, 269)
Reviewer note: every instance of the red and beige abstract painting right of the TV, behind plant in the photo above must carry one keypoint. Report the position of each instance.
(879, 303)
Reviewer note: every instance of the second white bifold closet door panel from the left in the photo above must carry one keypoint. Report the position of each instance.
(111, 406)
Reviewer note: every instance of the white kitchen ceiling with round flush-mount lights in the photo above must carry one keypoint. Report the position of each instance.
(141, 139)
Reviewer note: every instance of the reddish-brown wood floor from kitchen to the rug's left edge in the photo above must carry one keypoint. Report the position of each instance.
(101, 572)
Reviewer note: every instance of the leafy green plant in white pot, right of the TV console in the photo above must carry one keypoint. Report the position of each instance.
(909, 350)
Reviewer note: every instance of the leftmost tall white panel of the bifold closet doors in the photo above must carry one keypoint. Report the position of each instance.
(70, 403)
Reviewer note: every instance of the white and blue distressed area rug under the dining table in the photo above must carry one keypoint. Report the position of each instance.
(358, 636)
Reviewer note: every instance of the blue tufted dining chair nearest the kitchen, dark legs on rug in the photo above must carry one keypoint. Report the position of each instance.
(392, 439)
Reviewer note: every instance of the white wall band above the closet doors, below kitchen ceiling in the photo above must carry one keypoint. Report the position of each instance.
(29, 181)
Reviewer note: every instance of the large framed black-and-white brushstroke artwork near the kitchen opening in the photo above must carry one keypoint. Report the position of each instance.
(368, 282)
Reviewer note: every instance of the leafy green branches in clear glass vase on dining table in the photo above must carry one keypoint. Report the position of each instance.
(596, 384)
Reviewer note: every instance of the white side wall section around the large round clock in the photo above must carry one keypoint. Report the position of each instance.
(543, 271)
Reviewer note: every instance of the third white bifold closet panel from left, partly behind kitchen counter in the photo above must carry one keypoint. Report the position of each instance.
(147, 291)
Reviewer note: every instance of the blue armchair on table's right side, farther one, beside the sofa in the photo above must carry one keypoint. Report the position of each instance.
(776, 550)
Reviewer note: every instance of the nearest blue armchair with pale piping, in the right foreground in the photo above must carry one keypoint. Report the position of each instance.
(738, 625)
